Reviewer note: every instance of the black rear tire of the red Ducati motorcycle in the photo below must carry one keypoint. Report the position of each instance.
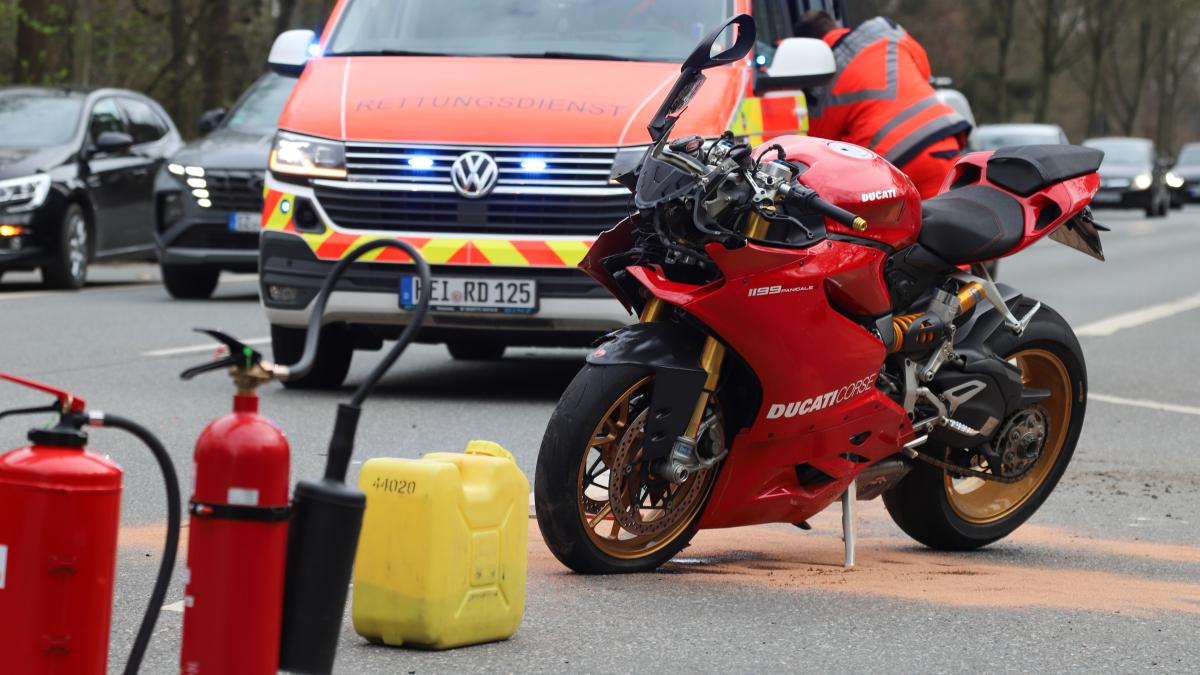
(921, 504)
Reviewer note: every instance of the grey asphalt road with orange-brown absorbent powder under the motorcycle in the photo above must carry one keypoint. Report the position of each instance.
(1106, 577)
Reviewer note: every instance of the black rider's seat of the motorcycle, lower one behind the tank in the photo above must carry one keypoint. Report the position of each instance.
(971, 224)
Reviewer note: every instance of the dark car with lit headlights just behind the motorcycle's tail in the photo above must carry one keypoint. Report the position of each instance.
(1132, 177)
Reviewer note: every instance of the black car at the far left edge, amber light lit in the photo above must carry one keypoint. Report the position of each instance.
(77, 171)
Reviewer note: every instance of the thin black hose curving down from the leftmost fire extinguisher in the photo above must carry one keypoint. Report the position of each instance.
(175, 516)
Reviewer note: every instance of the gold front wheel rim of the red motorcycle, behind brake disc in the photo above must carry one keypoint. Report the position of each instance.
(592, 492)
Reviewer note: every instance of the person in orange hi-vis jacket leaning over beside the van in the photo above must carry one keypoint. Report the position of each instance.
(881, 99)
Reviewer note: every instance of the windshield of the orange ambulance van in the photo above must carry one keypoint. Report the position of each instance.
(635, 31)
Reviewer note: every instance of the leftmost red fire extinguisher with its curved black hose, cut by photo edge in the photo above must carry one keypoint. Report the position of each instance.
(59, 518)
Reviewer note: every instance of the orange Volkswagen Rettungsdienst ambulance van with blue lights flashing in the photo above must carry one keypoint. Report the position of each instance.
(484, 133)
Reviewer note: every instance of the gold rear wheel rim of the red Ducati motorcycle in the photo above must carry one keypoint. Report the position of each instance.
(983, 503)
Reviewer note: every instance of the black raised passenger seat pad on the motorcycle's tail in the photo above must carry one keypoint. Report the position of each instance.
(1027, 170)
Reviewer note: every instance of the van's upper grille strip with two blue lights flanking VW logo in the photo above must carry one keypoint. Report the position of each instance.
(565, 168)
